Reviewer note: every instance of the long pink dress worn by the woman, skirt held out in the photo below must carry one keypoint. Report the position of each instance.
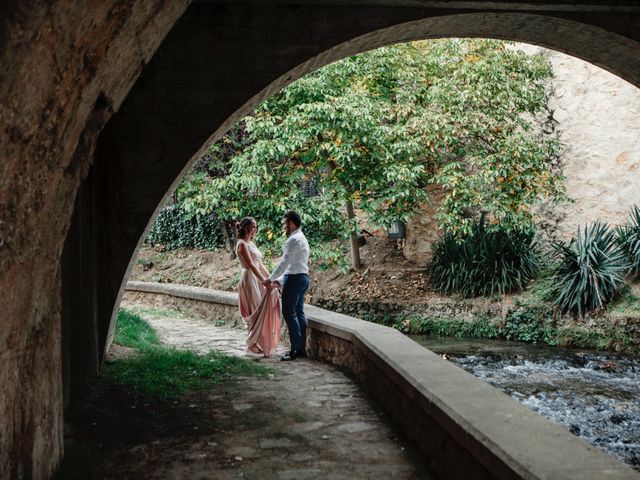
(259, 307)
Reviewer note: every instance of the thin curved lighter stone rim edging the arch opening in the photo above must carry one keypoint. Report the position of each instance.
(588, 42)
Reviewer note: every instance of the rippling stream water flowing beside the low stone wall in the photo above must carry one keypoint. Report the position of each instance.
(595, 396)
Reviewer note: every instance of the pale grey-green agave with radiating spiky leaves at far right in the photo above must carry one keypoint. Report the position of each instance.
(590, 270)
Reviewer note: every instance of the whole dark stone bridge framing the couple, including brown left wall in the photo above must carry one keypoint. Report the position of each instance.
(105, 103)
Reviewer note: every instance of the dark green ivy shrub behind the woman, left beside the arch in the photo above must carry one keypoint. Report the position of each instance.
(174, 228)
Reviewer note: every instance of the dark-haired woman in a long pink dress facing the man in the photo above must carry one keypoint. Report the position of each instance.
(259, 306)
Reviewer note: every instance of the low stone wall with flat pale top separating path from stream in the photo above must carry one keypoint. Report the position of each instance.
(465, 428)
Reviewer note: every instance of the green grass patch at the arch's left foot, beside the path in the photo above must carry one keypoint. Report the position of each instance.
(167, 372)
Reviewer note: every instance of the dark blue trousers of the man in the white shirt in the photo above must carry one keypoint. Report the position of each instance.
(293, 291)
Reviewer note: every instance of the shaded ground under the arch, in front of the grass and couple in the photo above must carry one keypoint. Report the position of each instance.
(305, 421)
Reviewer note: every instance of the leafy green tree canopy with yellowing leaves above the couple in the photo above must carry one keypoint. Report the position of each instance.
(377, 129)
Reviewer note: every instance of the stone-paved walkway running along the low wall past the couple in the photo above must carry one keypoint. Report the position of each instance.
(308, 420)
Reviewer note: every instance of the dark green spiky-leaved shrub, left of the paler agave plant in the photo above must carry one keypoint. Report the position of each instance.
(484, 263)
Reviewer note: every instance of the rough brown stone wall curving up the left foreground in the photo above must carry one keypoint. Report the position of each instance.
(66, 66)
